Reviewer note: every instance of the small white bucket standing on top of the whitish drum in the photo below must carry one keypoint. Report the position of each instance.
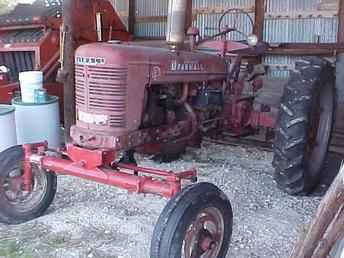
(29, 82)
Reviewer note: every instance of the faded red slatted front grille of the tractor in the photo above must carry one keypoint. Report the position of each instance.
(103, 91)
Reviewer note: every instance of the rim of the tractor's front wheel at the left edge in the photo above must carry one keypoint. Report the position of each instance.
(14, 195)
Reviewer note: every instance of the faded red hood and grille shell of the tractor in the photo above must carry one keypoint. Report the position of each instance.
(136, 67)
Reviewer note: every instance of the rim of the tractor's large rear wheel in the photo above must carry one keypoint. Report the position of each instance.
(321, 119)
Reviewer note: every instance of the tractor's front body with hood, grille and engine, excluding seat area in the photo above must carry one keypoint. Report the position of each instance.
(129, 96)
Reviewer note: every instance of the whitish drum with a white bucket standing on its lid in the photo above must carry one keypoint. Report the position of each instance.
(38, 122)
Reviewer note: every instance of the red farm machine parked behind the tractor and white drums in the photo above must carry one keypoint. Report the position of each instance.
(30, 39)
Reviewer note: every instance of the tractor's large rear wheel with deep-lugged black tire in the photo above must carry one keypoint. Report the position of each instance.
(304, 126)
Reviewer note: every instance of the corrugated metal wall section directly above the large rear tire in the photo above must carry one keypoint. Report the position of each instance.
(296, 21)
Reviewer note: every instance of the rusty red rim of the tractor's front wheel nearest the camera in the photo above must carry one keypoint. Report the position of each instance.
(204, 237)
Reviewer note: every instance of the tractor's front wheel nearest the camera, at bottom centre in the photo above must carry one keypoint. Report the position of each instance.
(196, 223)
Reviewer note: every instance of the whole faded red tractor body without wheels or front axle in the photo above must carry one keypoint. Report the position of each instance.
(127, 95)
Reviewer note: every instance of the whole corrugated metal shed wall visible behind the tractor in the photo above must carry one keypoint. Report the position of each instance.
(286, 21)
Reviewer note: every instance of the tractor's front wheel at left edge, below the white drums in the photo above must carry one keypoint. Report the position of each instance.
(16, 205)
